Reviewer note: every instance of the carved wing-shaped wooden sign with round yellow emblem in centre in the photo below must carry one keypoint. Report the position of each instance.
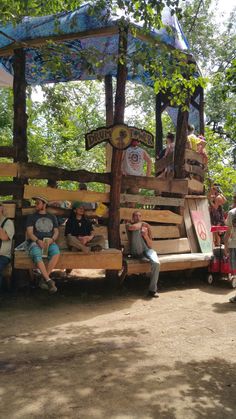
(119, 136)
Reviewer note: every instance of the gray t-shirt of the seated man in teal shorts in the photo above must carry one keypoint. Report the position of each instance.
(43, 224)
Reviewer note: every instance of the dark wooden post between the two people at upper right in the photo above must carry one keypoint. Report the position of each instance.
(181, 139)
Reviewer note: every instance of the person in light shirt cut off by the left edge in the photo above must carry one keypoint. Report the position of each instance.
(7, 232)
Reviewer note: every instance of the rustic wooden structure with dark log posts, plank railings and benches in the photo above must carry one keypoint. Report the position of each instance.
(169, 205)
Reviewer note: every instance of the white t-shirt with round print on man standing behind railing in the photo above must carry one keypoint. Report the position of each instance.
(133, 161)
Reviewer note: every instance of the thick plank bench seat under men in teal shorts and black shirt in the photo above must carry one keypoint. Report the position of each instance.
(106, 259)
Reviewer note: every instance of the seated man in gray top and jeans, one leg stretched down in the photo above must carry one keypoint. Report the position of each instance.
(140, 238)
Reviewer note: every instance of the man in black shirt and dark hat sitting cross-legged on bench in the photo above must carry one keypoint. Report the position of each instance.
(79, 231)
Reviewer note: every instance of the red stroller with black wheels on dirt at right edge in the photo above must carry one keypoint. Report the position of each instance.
(219, 267)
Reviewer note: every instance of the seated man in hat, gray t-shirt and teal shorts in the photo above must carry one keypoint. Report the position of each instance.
(41, 226)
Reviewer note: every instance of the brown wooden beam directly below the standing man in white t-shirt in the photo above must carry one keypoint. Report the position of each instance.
(179, 186)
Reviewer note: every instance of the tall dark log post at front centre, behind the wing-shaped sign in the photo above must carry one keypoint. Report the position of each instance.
(116, 174)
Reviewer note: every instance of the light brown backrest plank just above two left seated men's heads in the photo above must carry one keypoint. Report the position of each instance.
(53, 194)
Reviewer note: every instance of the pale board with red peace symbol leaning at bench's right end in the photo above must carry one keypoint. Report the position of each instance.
(203, 235)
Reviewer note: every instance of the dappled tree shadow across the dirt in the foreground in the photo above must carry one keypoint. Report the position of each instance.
(108, 375)
